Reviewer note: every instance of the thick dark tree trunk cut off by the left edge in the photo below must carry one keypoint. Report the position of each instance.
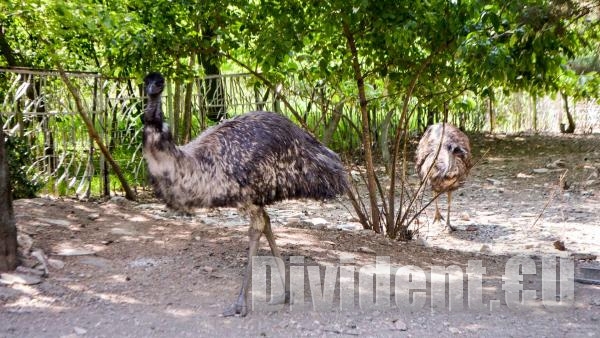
(8, 230)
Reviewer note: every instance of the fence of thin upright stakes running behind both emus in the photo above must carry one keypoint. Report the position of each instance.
(37, 107)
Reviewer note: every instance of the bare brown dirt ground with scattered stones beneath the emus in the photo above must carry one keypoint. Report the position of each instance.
(123, 269)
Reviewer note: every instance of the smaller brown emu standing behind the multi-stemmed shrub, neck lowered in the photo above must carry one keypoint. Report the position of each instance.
(443, 162)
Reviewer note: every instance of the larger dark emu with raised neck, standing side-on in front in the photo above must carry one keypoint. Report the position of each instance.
(247, 162)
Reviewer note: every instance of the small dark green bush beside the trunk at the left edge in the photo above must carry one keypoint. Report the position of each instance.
(19, 159)
